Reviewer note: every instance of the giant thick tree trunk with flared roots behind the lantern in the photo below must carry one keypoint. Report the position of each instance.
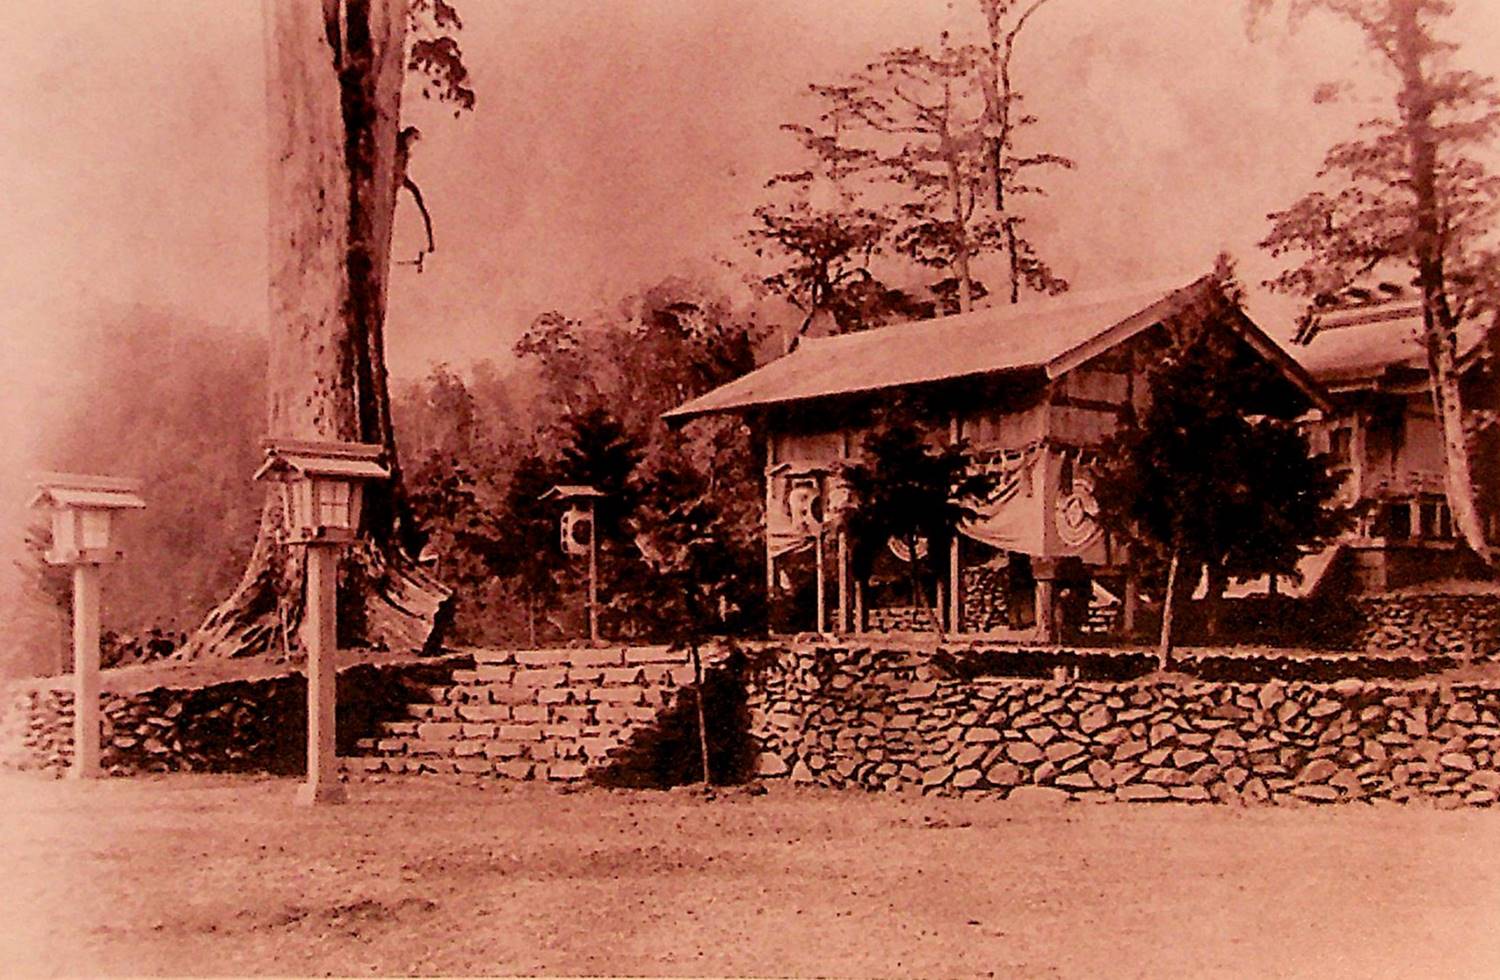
(334, 97)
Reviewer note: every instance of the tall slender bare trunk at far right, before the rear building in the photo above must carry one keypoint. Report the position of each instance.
(1439, 325)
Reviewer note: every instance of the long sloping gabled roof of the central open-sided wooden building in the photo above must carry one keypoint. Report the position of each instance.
(1051, 337)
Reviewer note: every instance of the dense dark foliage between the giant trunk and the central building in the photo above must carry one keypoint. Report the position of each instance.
(584, 409)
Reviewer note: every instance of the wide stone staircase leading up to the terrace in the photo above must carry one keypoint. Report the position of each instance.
(556, 715)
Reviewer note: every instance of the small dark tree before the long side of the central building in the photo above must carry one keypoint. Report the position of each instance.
(911, 490)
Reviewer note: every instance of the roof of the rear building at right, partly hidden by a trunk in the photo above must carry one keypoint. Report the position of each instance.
(1363, 344)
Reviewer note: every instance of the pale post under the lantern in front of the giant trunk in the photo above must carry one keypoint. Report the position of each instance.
(320, 640)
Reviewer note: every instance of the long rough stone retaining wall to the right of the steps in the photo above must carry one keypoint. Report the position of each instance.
(892, 720)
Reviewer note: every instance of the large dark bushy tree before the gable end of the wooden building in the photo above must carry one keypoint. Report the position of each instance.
(1199, 482)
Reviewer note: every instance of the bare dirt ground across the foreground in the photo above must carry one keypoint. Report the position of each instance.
(224, 876)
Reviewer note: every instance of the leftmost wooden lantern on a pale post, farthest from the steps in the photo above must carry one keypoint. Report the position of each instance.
(85, 511)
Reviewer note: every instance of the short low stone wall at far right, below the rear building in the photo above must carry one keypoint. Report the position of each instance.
(1459, 627)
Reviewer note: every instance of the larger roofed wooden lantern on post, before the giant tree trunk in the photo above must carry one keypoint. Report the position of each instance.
(323, 490)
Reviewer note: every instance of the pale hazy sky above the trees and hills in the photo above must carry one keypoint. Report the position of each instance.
(614, 142)
